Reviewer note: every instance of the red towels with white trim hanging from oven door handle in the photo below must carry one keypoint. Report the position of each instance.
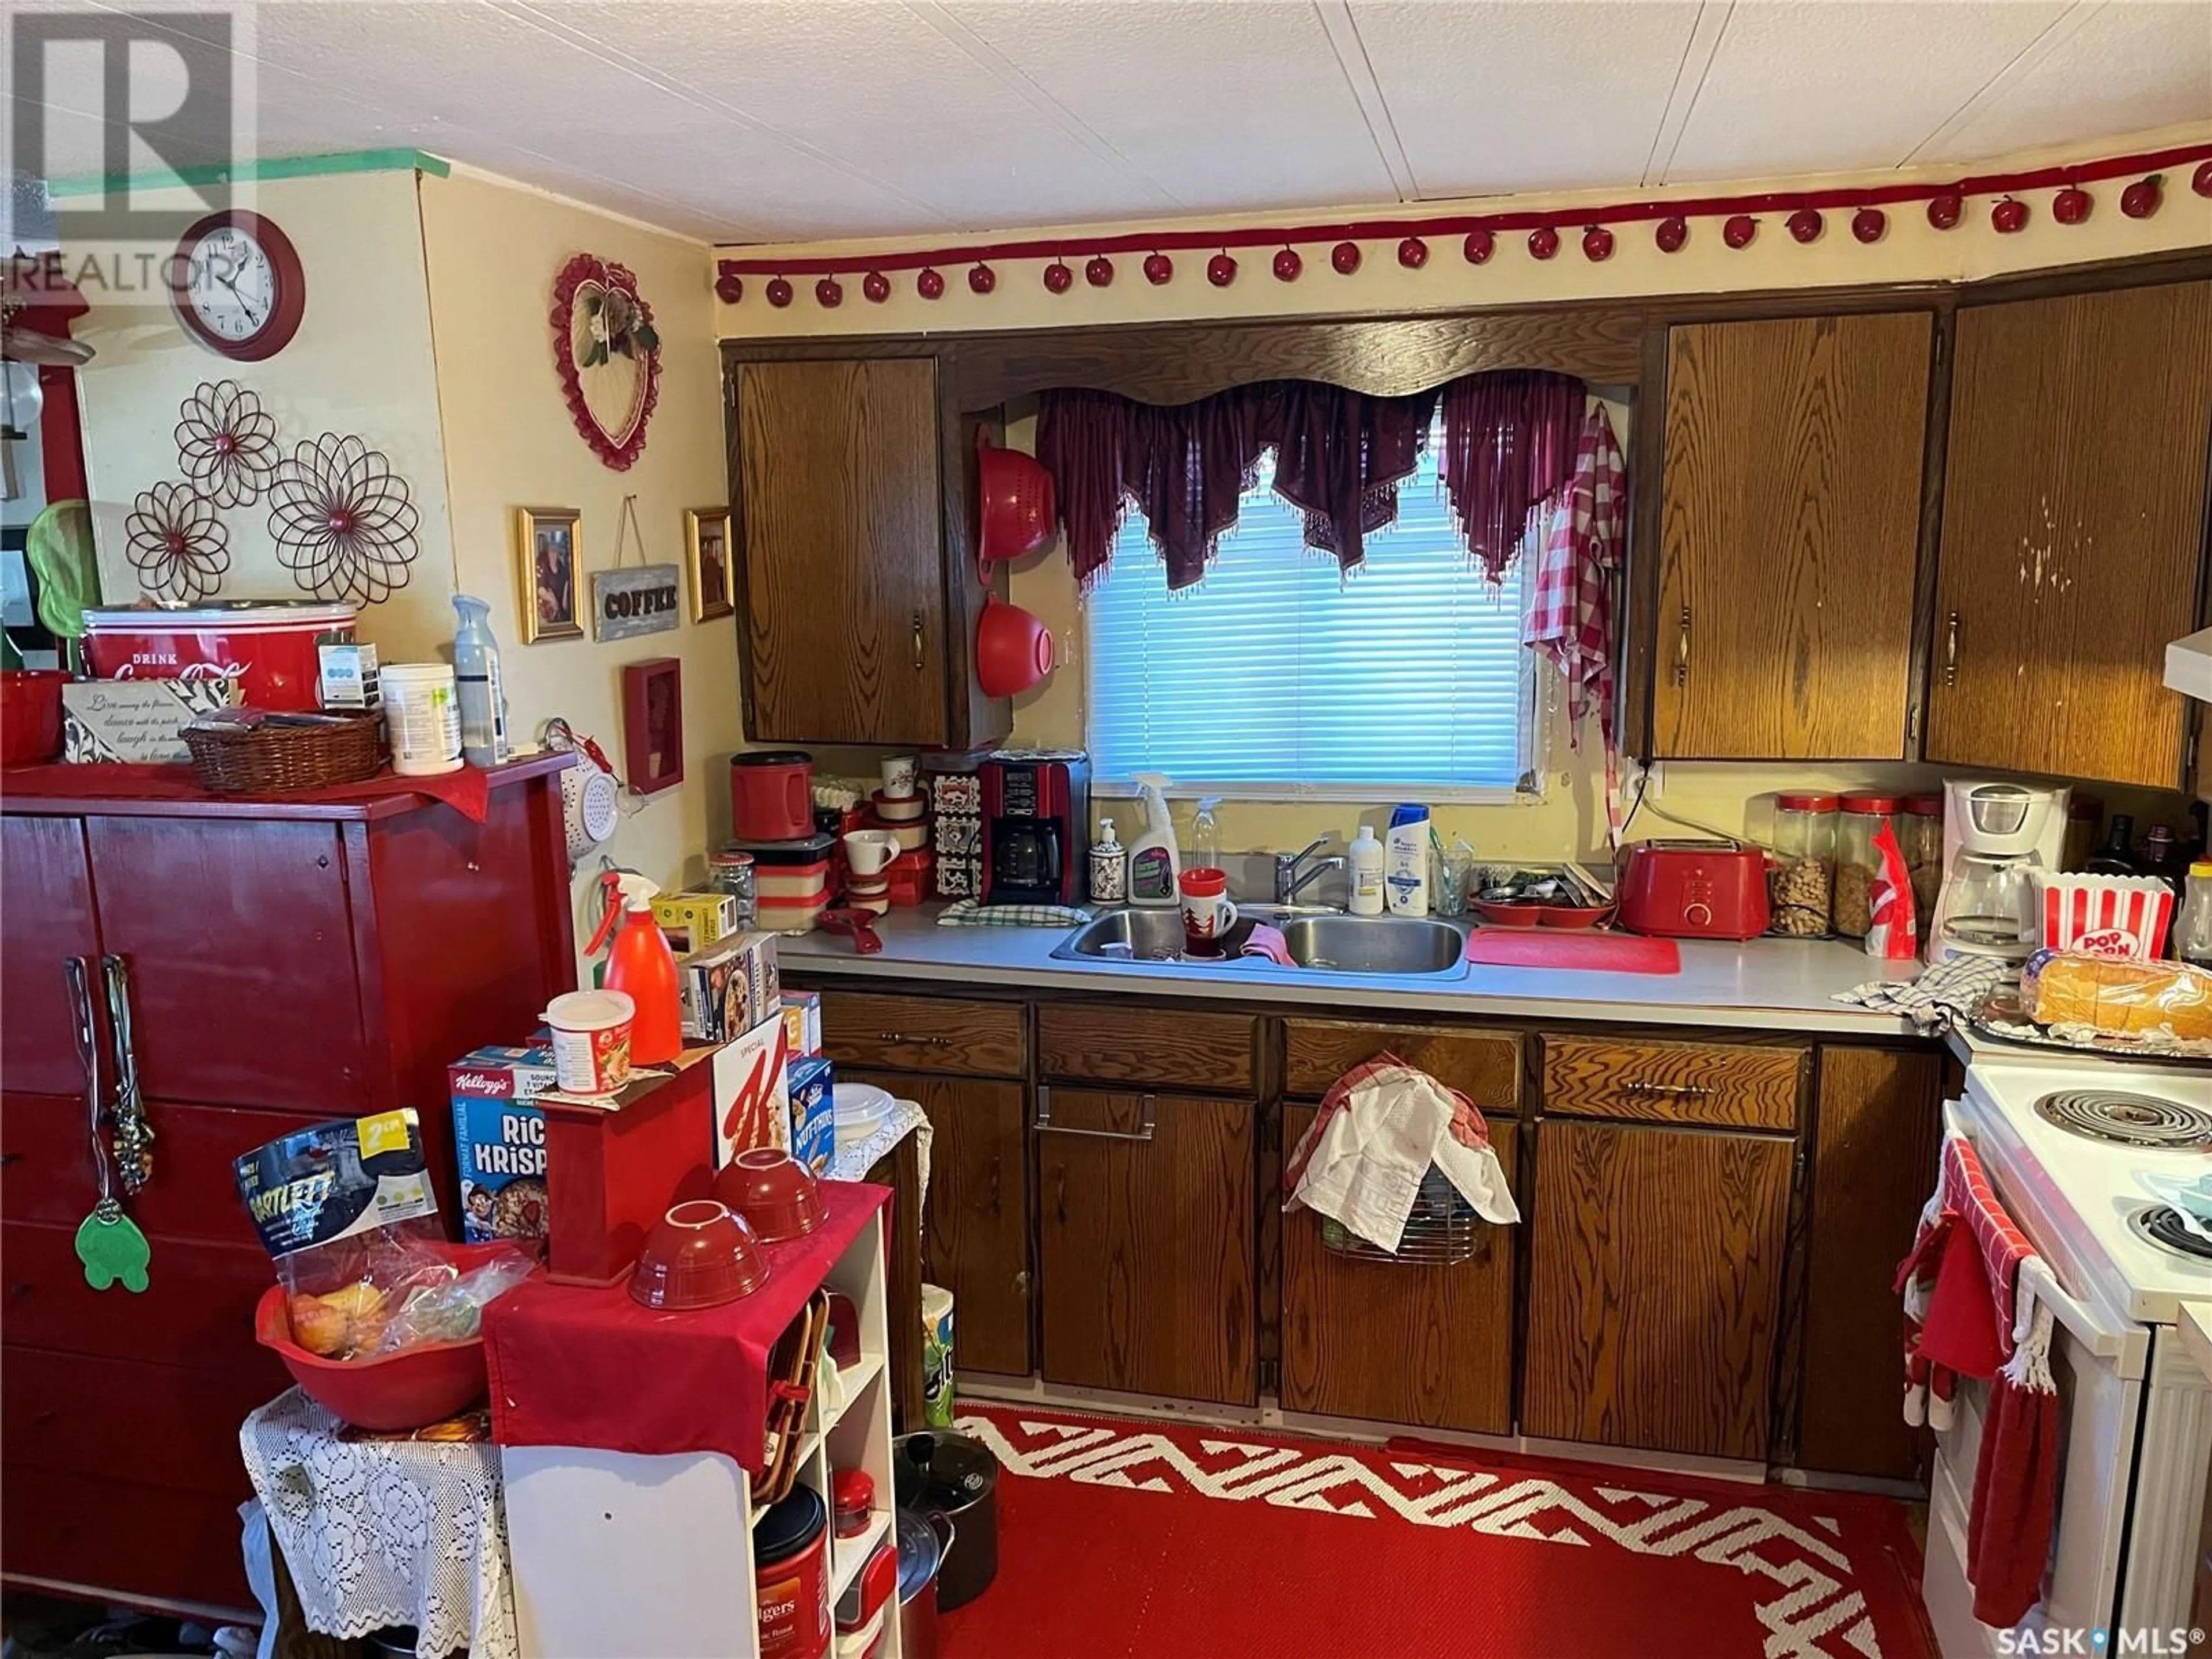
(1968, 1313)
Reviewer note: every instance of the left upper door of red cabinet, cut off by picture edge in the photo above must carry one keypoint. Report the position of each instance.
(48, 899)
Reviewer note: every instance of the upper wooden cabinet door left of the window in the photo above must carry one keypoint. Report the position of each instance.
(846, 589)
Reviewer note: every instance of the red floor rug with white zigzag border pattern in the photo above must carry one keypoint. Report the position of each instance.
(1154, 1541)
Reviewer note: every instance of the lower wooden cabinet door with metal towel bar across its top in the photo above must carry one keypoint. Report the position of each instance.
(1147, 1244)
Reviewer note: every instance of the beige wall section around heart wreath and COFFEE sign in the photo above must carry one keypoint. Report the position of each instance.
(492, 255)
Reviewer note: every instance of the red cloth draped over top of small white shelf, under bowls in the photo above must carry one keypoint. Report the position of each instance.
(592, 1368)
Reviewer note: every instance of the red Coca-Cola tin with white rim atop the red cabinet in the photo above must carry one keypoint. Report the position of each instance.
(267, 645)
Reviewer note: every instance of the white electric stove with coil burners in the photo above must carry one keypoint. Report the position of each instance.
(2065, 1147)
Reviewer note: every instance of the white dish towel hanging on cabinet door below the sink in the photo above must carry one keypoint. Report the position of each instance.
(1379, 1131)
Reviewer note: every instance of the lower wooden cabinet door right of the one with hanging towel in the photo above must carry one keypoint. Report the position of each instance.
(1656, 1286)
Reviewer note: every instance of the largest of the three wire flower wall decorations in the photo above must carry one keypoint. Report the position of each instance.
(342, 521)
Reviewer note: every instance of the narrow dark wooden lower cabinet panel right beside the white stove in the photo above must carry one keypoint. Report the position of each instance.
(1877, 1131)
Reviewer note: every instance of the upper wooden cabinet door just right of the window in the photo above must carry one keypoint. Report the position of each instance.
(1791, 536)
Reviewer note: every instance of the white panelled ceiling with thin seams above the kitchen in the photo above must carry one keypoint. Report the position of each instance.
(778, 121)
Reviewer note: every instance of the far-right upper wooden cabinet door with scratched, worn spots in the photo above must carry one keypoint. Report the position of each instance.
(2074, 525)
